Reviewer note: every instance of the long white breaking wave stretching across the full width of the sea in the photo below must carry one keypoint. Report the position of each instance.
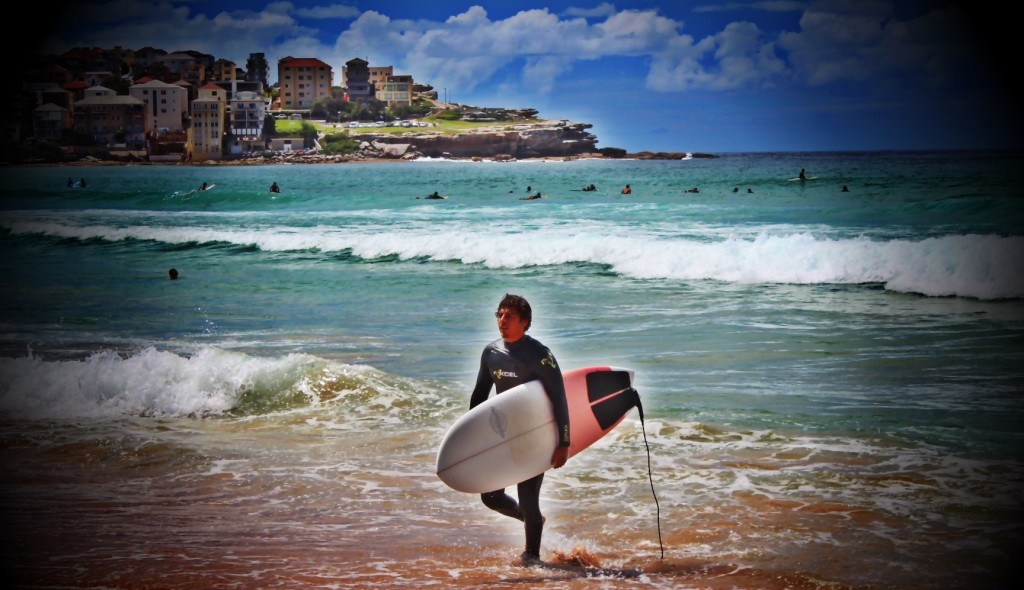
(971, 266)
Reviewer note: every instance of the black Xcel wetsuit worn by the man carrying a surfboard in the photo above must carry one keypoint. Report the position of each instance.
(506, 366)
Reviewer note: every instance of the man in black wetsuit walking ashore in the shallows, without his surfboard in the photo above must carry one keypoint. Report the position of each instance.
(514, 360)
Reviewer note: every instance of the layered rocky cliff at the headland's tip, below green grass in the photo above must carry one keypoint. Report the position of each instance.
(541, 140)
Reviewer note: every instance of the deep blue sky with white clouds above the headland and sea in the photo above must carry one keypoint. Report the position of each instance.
(674, 76)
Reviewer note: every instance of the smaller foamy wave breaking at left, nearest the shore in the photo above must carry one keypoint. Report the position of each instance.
(210, 383)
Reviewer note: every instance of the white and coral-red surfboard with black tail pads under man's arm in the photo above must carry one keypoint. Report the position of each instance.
(511, 437)
